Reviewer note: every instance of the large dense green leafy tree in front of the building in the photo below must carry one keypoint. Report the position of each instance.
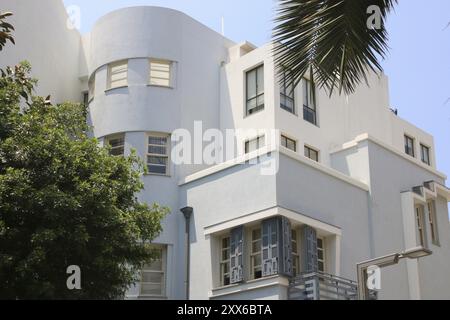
(65, 201)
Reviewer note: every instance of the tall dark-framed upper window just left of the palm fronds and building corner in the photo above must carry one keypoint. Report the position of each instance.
(255, 90)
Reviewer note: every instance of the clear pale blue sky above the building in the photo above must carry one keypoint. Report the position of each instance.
(418, 64)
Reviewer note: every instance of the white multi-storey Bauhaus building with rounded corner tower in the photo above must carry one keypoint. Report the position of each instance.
(351, 180)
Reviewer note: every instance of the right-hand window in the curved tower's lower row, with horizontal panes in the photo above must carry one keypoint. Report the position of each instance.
(158, 154)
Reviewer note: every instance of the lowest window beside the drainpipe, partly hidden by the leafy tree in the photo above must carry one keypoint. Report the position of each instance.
(153, 276)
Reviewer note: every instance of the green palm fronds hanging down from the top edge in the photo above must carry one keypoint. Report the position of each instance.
(331, 40)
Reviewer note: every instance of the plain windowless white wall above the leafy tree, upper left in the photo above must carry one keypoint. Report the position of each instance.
(43, 39)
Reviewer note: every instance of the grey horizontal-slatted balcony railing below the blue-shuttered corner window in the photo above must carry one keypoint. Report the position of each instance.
(321, 286)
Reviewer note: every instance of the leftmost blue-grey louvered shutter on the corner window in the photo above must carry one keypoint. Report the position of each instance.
(236, 255)
